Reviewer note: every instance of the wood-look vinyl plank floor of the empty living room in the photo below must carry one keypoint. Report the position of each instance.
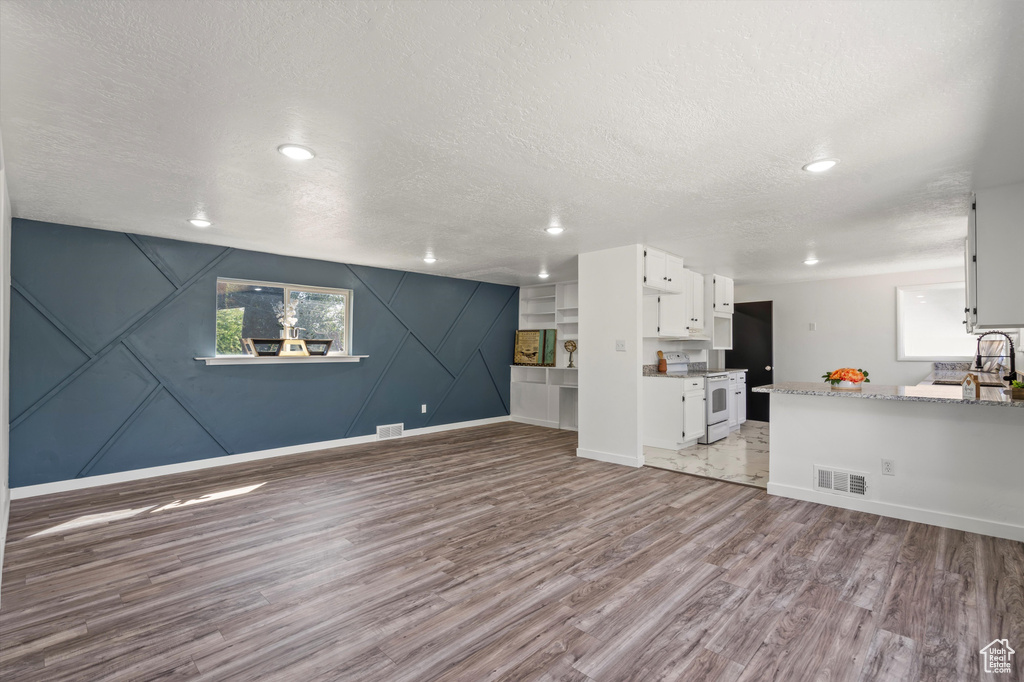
(490, 553)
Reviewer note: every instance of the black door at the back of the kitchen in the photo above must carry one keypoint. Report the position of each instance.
(752, 351)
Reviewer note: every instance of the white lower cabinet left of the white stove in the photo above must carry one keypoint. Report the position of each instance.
(674, 411)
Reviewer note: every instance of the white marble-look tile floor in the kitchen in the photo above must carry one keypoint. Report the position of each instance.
(741, 458)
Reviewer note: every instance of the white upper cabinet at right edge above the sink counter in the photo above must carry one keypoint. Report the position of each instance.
(996, 242)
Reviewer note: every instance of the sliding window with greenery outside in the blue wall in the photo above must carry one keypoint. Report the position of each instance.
(258, 311)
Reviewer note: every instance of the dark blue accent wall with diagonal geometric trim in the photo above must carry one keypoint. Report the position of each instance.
(106, 326)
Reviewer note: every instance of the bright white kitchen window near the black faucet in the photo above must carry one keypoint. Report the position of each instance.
(930, 324)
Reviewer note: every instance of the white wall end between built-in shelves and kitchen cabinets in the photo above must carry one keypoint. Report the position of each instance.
(610, 381)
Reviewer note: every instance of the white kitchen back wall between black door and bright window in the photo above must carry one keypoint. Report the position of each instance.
(857, 325)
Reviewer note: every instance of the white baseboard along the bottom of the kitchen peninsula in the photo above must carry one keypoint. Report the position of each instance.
(967, 524)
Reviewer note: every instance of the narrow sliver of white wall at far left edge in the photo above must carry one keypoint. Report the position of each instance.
(5, 353)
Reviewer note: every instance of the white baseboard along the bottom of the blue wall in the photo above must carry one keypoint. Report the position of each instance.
(137, 475)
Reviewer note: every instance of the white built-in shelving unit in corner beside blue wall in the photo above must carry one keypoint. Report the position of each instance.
(548, 396)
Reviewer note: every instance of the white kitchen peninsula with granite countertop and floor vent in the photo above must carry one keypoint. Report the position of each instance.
(955, 463)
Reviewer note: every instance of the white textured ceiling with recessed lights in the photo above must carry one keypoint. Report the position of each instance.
(462, 127)
